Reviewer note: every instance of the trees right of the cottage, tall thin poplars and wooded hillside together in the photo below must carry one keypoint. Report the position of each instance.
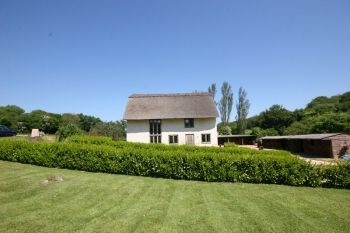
(322, 115)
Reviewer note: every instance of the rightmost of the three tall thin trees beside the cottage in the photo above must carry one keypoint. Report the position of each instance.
(242, 106)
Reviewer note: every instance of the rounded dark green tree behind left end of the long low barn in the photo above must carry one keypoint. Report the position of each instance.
(276, 117)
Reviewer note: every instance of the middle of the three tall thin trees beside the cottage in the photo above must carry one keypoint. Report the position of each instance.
(226, 102)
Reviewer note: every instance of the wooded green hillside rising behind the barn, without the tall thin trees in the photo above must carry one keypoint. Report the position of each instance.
(322, 115)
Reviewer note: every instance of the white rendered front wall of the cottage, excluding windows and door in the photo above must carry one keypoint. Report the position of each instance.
(138, 131)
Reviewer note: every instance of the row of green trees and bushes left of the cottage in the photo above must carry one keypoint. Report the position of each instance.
(62, 124)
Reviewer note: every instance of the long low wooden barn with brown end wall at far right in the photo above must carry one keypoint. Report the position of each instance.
(318, 145)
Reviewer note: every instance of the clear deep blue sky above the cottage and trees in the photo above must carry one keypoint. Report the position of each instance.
(88, 56)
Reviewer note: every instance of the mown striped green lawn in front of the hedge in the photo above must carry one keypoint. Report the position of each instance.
(94, 202)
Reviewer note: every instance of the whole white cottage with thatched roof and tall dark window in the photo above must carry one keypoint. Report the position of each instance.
(188, 118)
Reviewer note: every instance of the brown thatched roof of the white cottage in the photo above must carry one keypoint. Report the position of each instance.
(169, 106)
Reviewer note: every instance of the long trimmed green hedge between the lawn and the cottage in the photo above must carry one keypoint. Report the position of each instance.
(175, 164)
